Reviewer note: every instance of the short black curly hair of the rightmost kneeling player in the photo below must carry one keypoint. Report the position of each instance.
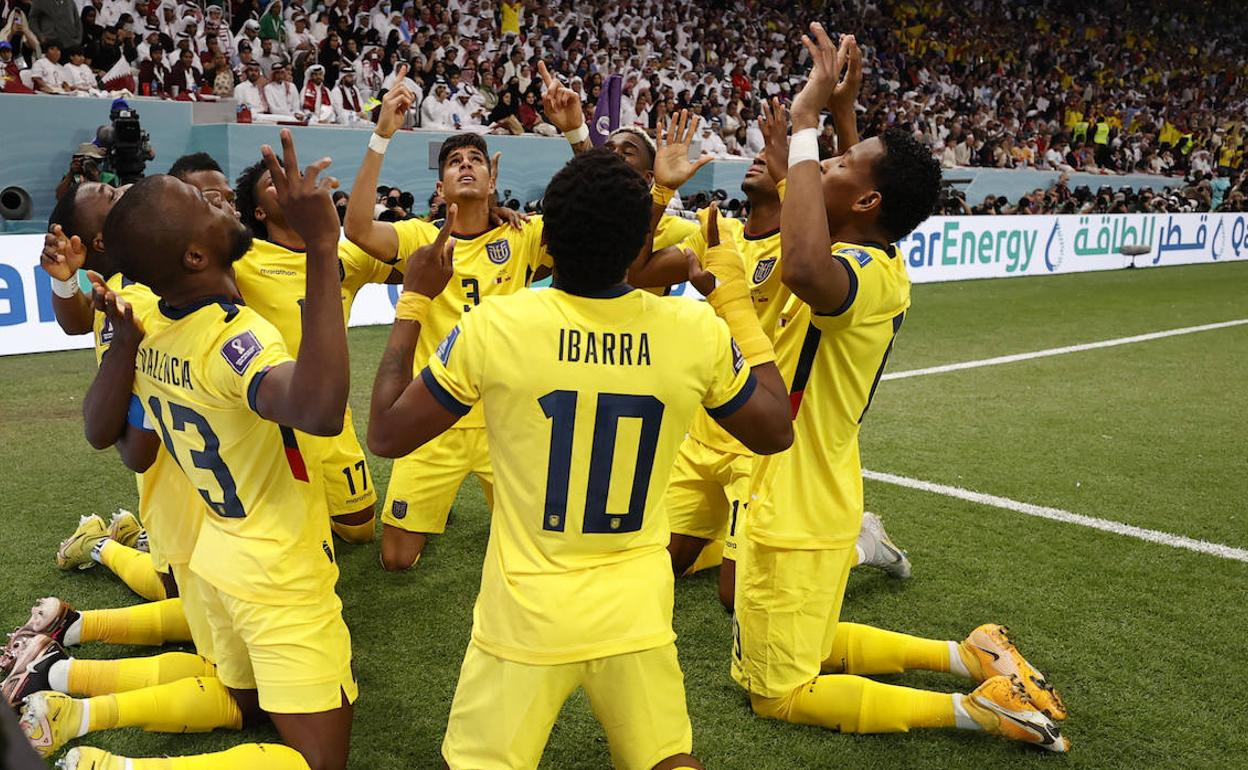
(909, 180)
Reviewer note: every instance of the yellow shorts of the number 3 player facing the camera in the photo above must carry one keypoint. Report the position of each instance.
(424, 485)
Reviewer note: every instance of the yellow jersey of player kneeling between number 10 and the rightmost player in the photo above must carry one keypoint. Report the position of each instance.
(762, 258)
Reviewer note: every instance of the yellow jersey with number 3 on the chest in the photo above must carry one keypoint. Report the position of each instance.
(500, 261)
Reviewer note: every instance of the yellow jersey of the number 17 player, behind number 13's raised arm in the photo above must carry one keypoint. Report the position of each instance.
(273, 280)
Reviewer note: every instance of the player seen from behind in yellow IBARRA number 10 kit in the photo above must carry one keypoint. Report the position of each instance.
(587, 391)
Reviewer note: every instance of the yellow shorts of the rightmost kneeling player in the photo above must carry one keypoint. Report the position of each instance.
(787, 610)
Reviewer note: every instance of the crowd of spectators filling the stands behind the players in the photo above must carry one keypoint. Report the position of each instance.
(1119, 87)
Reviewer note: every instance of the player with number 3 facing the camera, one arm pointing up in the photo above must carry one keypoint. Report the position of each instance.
(491, 260)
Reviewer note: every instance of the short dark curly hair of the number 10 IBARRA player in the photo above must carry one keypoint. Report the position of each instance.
(597, 212)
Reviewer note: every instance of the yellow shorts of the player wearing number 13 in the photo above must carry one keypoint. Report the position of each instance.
(298, 657)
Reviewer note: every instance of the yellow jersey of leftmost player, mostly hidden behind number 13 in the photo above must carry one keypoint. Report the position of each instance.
(169, 507)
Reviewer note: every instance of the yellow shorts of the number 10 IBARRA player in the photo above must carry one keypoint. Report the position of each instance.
(504, 711)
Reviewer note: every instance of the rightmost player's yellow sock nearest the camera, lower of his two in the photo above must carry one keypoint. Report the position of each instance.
(854, 704)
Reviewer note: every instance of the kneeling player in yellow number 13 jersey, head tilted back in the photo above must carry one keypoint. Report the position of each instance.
(225, 397)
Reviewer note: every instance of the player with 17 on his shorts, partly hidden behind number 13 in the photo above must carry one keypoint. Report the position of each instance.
(271, 278)
